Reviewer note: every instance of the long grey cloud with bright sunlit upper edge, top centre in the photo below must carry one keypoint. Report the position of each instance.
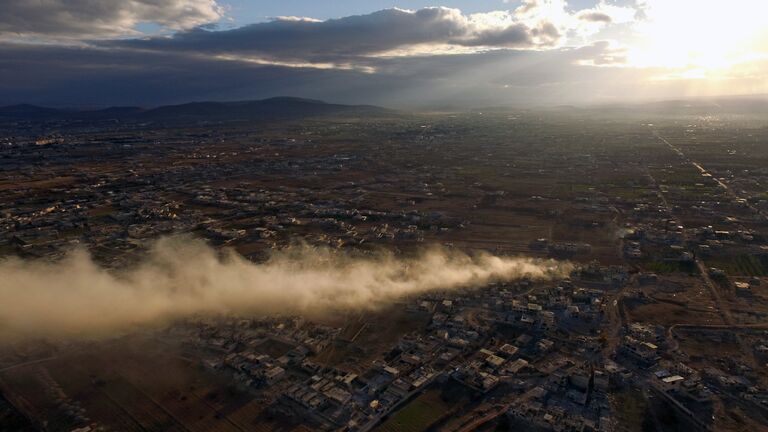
(354, 36)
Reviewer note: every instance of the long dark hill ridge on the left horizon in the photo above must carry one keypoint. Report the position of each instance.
(266, 109)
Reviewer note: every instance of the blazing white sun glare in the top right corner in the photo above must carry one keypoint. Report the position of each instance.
(703, 38)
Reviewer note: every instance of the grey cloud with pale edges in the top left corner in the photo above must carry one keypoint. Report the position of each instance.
(100, 18)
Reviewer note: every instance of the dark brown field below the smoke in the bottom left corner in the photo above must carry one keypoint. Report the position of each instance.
(135, 385)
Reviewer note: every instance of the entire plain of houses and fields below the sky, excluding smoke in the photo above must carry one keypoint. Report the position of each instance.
(661, 324)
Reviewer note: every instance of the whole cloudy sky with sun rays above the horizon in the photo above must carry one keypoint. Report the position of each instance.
(400, 54)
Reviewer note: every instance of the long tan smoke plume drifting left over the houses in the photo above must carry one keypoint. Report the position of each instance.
(181, 277)
